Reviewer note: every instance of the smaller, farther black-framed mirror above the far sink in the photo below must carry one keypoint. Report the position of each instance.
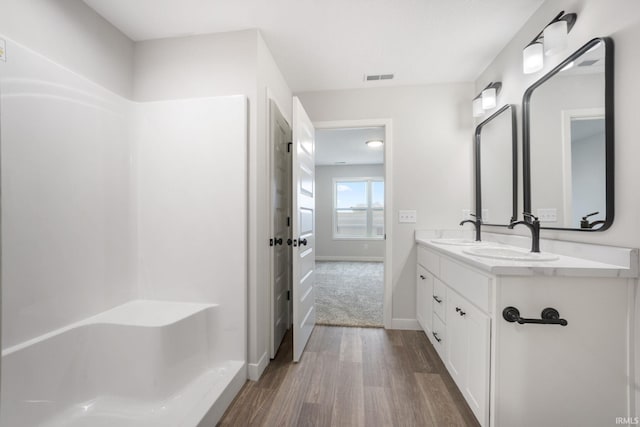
(496, 157)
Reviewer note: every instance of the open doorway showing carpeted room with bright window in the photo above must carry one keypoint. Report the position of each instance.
(353, 223)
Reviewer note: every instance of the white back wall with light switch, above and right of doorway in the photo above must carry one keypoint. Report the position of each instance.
(432, 161)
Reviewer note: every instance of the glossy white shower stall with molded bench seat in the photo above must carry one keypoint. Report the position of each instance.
(124, 252)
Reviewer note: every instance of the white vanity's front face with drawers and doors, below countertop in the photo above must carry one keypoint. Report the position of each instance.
(457, 328)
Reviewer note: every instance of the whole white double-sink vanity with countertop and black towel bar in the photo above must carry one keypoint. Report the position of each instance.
(484, 316)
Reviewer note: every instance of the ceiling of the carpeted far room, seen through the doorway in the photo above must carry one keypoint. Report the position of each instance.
(348, 145)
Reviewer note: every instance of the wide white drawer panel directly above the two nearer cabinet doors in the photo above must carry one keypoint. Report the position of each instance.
(472, 285)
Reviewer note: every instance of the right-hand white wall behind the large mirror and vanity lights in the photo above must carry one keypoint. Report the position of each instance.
(619, 19)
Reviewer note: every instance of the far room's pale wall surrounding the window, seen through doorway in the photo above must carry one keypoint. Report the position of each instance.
(339, 249)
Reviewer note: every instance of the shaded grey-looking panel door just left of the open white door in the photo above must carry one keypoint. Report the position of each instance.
(280, 210)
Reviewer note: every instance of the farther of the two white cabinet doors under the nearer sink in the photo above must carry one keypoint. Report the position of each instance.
(457, 346)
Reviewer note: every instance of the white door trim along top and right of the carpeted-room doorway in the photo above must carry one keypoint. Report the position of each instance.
(388, 199)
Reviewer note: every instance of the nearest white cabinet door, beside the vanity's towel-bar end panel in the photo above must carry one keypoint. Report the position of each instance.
(476, 389)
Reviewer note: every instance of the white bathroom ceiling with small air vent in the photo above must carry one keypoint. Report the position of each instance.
(331, 44)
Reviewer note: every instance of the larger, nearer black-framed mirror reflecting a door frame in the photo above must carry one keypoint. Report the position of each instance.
(568, 142)
